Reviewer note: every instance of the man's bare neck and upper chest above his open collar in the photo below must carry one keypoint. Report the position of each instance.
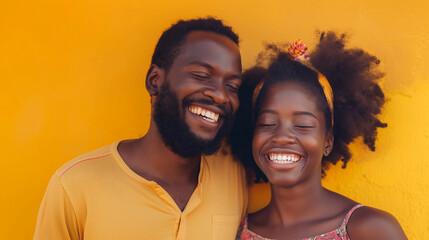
(150, 158)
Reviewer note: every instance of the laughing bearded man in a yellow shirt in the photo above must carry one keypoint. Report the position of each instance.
(162, 186)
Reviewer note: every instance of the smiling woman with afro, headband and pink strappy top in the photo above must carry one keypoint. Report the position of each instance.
(297, 116)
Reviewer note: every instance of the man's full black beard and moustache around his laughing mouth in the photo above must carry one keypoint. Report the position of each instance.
(176, 133)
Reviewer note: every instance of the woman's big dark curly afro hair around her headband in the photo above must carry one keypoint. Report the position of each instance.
(358, 98)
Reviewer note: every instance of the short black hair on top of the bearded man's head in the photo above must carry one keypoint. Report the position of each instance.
(168, 46)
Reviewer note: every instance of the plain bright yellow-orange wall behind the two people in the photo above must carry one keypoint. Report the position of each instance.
(72, 80)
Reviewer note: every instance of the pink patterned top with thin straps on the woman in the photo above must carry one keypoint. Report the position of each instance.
(337, 234)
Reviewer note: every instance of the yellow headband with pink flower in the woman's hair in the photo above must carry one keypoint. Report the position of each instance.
(297, 52)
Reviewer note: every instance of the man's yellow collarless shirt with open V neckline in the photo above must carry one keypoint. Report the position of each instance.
(98, 197)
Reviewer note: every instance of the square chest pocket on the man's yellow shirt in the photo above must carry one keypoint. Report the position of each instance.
(224, 227)
